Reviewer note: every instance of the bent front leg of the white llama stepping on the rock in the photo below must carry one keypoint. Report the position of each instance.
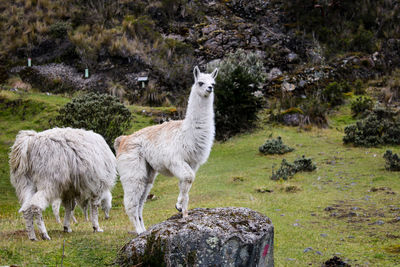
(186, 177)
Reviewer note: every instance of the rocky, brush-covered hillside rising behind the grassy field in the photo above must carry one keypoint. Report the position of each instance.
(119, 41)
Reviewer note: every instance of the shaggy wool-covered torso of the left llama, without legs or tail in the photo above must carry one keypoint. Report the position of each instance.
(64, 158)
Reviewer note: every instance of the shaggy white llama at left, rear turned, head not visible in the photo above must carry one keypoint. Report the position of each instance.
(61, 163)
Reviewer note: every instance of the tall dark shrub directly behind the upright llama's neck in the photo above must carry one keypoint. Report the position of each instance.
(236, 103)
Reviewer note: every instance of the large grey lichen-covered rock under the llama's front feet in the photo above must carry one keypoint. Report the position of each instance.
(207, 237)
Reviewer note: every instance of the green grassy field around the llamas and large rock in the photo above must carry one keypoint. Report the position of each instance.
(359, 225)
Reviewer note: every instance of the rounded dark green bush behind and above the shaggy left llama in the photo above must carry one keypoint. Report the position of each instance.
(101, 113)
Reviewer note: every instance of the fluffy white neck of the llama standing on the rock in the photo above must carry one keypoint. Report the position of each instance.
(199, 119)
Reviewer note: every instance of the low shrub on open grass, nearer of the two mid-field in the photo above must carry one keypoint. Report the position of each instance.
(287, 170)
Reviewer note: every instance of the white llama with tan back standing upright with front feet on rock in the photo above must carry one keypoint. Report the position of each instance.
(175, 148)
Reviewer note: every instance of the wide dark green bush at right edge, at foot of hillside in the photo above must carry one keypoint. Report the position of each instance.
(381, 126)
